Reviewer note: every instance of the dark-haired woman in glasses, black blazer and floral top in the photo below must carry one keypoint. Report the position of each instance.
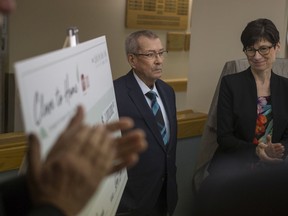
(252, 110)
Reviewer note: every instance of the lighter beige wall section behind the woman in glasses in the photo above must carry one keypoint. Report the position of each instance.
(216, 26)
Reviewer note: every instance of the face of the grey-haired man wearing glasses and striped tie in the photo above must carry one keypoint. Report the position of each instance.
(149, 69)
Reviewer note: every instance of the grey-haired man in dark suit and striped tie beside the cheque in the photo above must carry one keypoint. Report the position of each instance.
(151, 188)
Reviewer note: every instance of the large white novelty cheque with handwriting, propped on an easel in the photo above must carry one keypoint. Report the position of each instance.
(52, 85)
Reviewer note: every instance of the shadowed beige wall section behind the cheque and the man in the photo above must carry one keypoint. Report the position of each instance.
(39, 26)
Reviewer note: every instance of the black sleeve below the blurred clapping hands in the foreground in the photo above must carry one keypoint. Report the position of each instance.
(15, 200)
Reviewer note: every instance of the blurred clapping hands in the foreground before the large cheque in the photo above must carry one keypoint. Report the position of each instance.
(79, 160)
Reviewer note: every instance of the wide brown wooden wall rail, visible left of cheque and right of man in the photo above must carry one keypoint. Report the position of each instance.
(13, 146)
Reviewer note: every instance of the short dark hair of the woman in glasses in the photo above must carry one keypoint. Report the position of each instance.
(257, 30)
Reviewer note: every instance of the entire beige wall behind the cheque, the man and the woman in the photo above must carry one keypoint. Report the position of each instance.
(40, 26)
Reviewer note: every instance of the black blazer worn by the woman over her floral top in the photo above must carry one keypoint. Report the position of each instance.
(237, 114)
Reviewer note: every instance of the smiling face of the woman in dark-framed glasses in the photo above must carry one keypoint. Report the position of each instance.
(262, 62)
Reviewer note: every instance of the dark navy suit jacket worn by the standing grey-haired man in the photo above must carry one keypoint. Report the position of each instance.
(156, 167)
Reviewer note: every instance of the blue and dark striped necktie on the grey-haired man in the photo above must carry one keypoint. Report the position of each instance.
(158, 115)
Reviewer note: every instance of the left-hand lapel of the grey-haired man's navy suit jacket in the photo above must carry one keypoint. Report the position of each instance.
(136, 95)
